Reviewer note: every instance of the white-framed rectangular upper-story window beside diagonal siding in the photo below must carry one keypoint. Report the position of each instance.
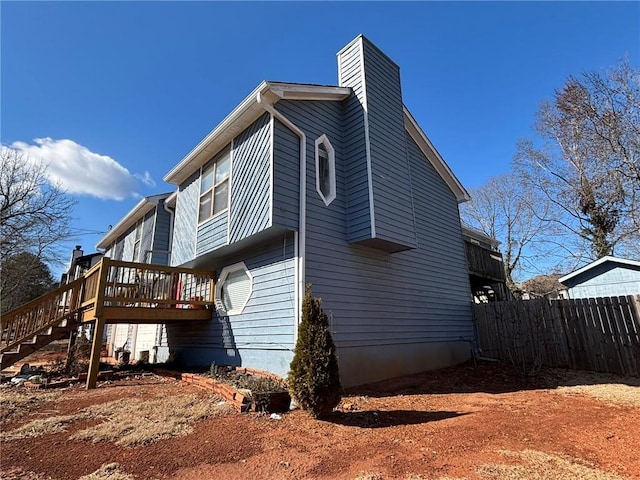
(214, 185)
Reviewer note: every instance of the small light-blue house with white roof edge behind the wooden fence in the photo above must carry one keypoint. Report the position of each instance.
(606, 277)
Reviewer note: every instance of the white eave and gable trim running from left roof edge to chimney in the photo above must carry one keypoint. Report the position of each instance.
(248, 111)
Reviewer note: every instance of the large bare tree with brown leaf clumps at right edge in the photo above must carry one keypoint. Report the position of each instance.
(586, 160)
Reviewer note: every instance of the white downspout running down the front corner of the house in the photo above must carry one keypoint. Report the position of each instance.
(301, 237)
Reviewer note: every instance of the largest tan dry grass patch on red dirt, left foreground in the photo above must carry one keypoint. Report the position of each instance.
(133, 422)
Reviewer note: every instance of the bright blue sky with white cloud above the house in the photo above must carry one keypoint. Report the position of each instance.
(112, 95)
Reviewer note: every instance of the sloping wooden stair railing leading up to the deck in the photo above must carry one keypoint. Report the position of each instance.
(38, 315)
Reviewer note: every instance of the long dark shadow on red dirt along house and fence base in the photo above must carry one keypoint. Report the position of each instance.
(491, 378)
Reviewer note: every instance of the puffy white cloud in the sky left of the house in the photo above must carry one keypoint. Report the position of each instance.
(80, 171)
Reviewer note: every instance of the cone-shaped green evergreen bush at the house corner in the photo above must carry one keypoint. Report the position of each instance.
(314, 379)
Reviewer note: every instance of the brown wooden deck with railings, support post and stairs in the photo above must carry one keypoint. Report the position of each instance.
(112, 292)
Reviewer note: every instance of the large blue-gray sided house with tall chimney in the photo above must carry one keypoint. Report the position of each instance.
(334, 186)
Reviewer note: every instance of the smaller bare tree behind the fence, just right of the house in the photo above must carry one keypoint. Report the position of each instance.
(506, 211)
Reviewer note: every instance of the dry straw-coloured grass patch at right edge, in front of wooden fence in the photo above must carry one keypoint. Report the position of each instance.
(603, 387)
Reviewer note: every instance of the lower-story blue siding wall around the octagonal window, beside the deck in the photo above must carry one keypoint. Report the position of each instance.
(262, 335)
